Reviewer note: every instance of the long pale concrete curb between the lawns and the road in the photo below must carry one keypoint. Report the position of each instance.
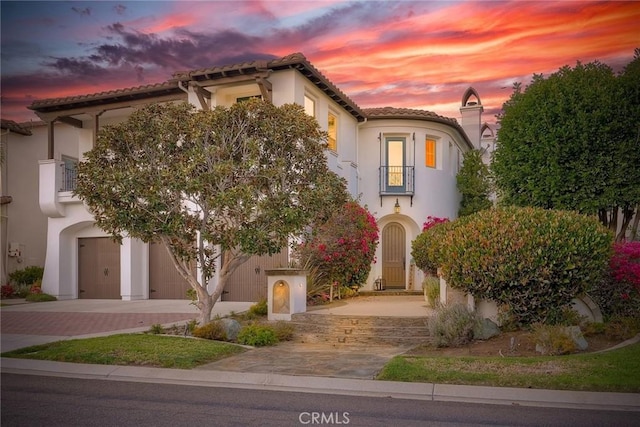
(330, 385)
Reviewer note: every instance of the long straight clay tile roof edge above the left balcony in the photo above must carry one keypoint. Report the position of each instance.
(115, 95)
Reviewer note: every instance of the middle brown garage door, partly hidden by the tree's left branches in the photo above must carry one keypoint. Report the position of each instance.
(164, 280)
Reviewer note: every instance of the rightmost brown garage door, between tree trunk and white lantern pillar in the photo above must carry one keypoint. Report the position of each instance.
(249, 281)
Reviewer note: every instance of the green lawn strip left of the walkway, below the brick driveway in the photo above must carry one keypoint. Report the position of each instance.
(132, 349)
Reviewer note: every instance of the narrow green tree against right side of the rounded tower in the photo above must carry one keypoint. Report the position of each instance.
(474, 183)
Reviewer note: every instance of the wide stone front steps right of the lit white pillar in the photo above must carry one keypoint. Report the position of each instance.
(346, 330)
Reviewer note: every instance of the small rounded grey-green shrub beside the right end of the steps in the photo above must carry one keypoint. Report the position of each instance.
(452, 326)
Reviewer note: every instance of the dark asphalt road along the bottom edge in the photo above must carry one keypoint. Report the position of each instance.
(29, 400)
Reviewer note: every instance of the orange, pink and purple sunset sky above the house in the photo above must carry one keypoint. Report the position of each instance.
(415, 54)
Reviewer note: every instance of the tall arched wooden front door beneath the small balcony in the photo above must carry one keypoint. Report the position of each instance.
(393, 255)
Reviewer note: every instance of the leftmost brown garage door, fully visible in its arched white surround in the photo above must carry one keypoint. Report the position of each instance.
(98, 268)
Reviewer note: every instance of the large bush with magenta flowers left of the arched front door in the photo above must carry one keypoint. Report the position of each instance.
(344, 247)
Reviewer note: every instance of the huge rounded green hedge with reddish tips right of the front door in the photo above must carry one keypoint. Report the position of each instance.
(535, 261)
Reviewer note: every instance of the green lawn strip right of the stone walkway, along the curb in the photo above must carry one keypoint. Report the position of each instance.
(617, 370)
